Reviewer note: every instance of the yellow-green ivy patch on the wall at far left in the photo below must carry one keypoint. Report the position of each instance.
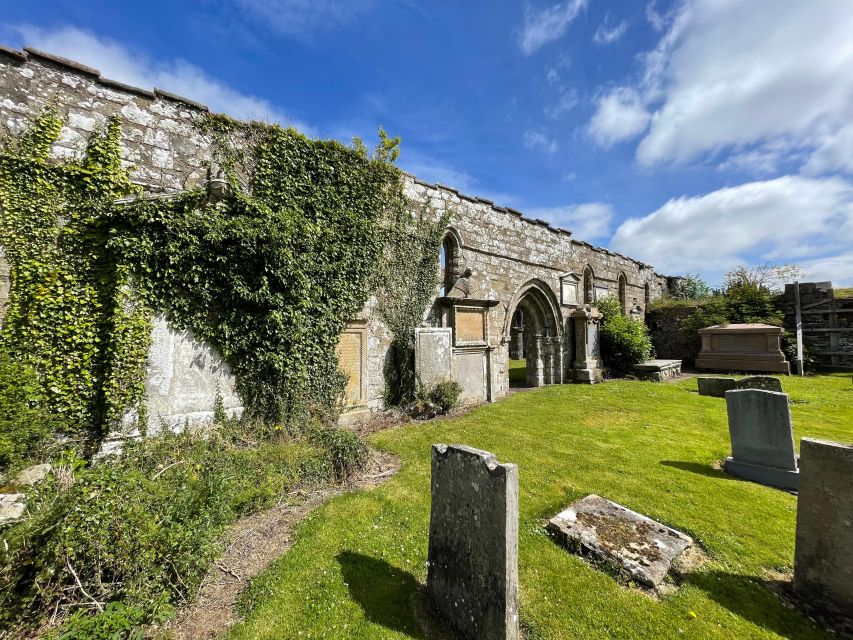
(70, 316)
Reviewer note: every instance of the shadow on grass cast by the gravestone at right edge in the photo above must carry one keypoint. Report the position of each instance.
(752, 599)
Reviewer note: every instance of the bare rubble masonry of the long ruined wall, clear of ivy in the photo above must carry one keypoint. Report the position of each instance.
(510, 256)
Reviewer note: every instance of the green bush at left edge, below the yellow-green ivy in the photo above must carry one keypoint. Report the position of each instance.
(25, 426)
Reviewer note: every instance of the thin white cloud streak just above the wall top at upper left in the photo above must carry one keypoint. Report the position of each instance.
(177, 76)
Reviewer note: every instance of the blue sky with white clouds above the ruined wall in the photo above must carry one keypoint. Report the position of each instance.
(696, 135)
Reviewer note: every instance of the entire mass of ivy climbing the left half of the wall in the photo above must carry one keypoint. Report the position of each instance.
(267, 273)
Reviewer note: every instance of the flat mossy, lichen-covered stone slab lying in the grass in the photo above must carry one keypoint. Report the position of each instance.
(643, 548)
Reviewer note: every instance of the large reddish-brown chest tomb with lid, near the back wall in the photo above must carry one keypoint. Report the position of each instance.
(742, 347)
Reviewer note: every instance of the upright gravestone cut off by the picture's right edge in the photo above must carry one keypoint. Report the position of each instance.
(823, 558)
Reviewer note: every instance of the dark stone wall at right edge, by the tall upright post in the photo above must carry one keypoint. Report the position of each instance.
(827, 322)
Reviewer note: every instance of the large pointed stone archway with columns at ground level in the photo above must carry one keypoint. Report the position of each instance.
(541, 331)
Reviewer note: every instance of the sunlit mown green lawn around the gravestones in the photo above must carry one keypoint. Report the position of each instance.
(359, 559)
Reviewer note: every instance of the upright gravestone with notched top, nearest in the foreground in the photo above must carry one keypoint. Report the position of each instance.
(473, 542)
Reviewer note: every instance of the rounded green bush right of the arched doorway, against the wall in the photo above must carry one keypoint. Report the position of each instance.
(624, 341)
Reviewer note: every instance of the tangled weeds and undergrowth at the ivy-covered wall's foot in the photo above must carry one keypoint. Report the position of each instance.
(142, 530)
